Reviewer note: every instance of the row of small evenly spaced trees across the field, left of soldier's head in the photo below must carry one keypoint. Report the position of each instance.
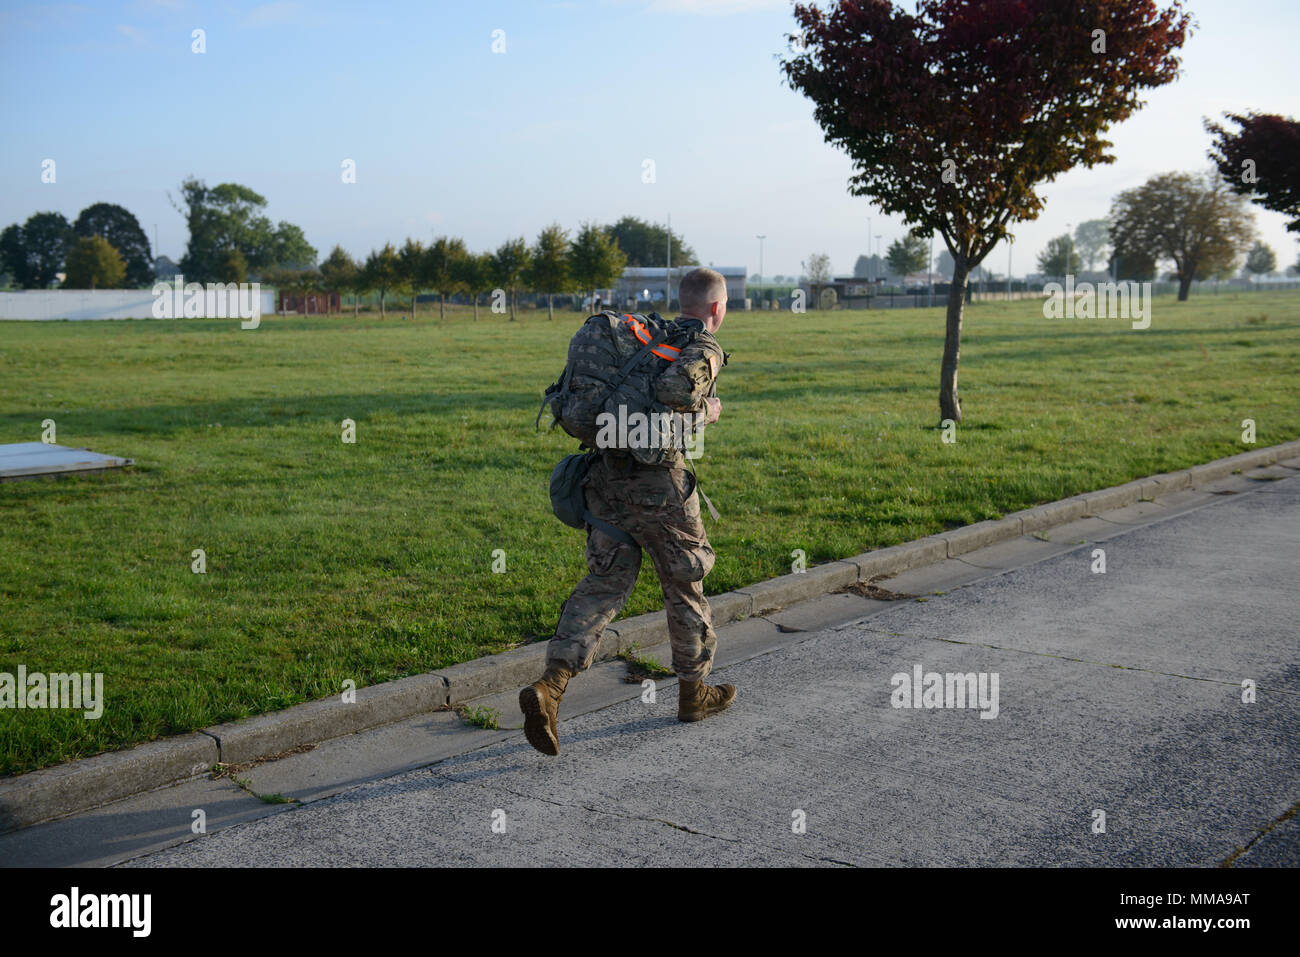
(553, 265)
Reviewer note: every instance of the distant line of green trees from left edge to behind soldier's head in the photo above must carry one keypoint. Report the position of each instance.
(232, 241)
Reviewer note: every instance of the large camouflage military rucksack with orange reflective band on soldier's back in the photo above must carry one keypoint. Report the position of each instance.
(613, 363)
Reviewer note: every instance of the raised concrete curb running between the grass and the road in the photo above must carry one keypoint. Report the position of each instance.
(79, 786)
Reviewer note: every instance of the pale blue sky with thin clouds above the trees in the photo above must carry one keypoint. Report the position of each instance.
(493, 120)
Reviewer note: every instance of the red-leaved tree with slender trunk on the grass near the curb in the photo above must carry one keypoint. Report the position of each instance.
(955, 115)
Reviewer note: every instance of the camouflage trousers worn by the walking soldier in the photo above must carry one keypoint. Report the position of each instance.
(652, 506)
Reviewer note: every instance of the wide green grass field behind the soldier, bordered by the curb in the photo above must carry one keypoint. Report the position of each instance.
(372, 561)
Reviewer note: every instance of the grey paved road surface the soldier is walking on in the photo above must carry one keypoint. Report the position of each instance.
(1119, 694)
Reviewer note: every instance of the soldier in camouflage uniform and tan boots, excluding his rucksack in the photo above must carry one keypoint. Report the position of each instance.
(658, 506)
